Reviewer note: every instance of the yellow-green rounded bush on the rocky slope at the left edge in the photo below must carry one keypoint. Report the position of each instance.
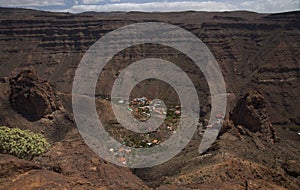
(22, 143)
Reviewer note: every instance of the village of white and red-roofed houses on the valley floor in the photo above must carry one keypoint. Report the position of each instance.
(143, 108)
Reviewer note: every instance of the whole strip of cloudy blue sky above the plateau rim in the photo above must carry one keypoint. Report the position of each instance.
(78, 6)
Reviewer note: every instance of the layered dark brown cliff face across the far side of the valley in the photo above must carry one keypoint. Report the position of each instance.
(255, 51)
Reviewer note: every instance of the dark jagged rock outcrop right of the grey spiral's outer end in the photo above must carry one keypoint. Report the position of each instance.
(251, 113)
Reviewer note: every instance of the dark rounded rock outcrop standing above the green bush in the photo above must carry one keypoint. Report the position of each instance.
(32, 97)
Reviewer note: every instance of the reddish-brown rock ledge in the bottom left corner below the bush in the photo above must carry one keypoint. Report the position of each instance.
(22, 174)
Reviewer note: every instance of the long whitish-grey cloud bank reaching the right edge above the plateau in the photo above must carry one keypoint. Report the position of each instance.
(251, 5)
